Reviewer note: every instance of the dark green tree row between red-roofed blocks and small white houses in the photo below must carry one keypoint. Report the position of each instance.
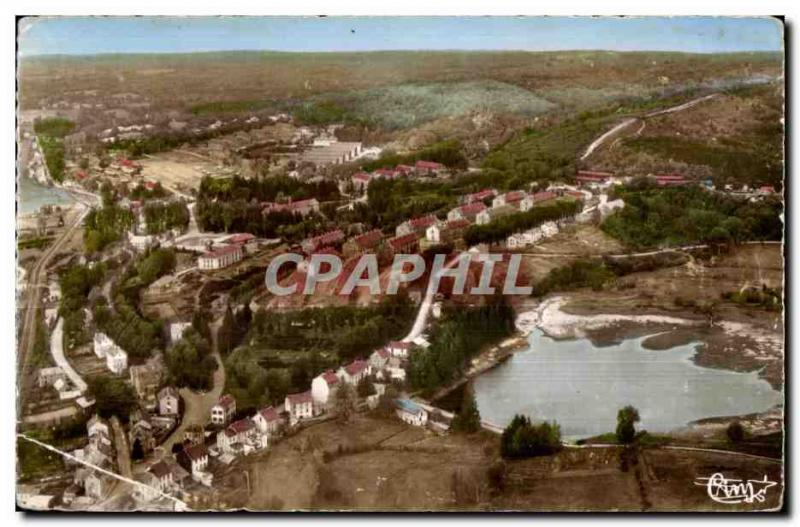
(501, 228)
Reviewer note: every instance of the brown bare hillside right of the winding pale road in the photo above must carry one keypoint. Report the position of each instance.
(735, 138)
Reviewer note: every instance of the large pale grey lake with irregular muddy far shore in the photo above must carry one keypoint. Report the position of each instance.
(581, 386)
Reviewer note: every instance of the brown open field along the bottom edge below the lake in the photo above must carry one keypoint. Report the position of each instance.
(377, 464)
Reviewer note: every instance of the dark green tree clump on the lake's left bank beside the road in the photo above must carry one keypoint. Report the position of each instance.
(463, 333)
